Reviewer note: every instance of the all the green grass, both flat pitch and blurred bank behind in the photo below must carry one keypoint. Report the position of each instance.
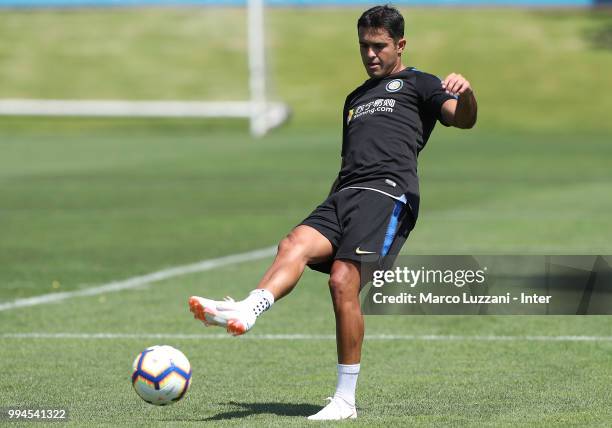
(87, 202)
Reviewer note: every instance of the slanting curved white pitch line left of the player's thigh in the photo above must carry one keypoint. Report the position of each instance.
(138, 281)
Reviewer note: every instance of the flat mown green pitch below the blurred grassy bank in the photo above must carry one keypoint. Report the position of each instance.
(86, 210)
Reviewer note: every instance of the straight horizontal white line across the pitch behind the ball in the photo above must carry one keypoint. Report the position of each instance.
(306, 337)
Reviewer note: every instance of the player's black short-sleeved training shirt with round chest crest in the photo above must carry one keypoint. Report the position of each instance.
(387, 122)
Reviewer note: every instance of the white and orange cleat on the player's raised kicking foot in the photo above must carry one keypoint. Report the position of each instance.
(234, 316)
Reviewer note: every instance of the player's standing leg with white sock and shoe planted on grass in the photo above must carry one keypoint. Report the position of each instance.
(344, 285)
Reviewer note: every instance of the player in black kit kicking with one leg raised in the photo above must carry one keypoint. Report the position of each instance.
(374, 201)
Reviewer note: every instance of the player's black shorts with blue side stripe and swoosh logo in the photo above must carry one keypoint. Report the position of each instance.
(365, 226)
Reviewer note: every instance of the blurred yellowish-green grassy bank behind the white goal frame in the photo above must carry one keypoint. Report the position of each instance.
(532, 70)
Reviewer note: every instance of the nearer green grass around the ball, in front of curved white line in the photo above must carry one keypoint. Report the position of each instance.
(278, 382)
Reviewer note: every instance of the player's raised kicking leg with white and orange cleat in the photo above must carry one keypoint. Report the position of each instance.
(302, 246)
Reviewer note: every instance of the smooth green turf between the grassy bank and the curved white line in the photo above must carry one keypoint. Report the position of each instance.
(85, 210)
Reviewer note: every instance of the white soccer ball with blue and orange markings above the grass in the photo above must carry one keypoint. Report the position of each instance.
(161, 375)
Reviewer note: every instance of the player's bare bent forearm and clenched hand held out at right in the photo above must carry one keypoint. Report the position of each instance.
(460, 112)
